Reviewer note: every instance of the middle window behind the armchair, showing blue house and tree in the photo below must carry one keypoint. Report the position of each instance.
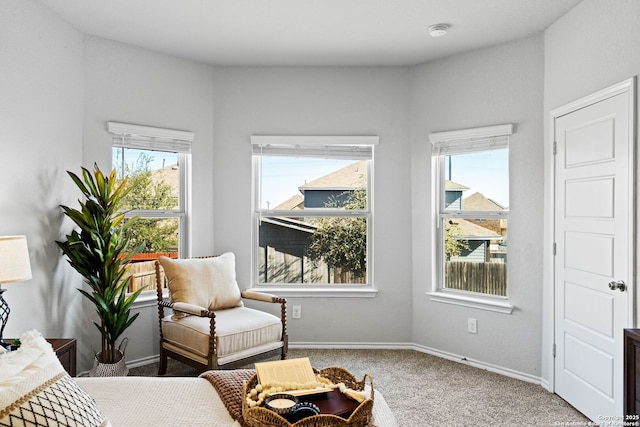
(313, 213)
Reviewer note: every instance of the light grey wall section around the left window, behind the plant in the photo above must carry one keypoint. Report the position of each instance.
(131, 85)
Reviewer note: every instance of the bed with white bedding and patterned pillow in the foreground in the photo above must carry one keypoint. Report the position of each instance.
(35, 388)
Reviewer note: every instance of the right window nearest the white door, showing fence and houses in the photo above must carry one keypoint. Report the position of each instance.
(471, 227)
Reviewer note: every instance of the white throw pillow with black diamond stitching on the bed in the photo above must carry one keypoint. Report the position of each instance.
(35, 390)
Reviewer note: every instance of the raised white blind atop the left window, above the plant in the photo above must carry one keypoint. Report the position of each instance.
(150, 138)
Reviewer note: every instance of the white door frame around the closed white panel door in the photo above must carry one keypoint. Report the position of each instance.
(548, 291)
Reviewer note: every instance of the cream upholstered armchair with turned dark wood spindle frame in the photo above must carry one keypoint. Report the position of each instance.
(210, 328)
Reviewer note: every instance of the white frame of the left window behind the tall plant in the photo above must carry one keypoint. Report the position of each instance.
(128, 136)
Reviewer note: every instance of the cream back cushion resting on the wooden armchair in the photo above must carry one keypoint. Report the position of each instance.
(205, 282)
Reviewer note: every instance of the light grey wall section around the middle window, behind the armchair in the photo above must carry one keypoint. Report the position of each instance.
(322, 101)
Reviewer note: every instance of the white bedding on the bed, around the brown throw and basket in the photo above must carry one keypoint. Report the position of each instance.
(176, 401)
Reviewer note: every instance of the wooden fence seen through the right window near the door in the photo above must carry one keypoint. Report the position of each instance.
(484, 277)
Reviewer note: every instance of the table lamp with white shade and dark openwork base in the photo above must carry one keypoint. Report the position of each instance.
(14, 267)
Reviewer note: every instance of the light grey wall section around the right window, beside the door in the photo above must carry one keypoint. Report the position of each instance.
(492, 86)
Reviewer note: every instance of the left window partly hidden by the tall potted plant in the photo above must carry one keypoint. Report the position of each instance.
(155, 162)
